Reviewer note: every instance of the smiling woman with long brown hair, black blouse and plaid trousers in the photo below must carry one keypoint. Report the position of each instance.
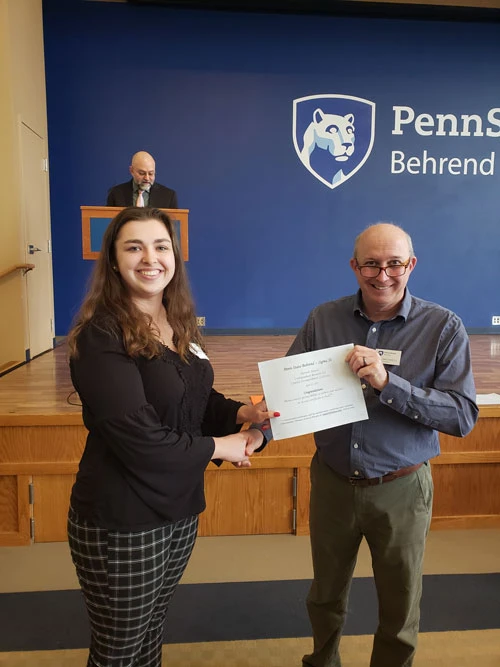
(155, 422)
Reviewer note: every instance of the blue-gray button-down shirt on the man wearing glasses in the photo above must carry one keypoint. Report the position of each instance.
(431, 390)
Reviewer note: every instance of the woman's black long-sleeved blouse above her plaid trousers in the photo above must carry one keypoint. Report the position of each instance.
(150, 426)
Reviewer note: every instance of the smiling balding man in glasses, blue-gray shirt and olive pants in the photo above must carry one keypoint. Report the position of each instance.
(372, 479)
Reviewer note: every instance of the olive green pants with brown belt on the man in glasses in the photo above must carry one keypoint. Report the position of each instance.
(394, 519)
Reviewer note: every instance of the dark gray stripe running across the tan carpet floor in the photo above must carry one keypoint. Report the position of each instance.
(244, 611)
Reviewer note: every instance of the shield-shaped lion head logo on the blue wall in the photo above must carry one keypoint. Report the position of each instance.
(333, 135)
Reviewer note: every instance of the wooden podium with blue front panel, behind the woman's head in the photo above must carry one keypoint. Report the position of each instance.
(95, 219)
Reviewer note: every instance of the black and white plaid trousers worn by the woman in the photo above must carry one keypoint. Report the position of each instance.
(127, 581)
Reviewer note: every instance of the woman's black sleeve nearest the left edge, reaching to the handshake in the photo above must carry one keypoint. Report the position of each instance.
(115, 409)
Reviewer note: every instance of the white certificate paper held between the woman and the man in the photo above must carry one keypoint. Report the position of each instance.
(312, 391)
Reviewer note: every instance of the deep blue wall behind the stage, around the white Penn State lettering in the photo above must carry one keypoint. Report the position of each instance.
(210, 95)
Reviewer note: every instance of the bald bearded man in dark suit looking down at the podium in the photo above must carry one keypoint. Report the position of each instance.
(142, 190)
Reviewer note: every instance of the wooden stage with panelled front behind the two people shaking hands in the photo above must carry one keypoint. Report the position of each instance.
(42, 438)
